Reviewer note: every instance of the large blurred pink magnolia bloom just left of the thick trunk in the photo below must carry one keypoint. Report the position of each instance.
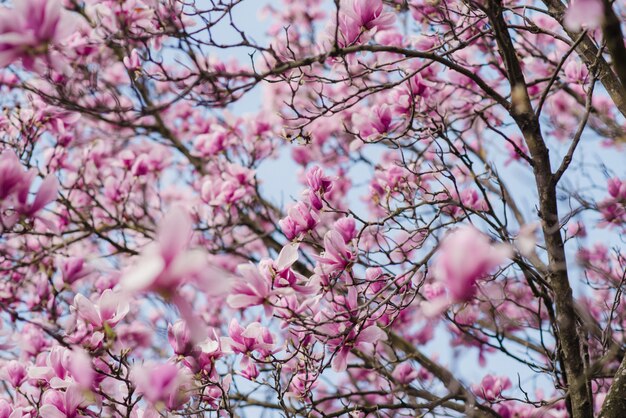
(465, 256)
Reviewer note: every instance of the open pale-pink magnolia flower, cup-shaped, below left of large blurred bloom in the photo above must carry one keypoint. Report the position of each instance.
(110, 309)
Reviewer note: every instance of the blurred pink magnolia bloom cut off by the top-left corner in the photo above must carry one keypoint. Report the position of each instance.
(30, 27)
